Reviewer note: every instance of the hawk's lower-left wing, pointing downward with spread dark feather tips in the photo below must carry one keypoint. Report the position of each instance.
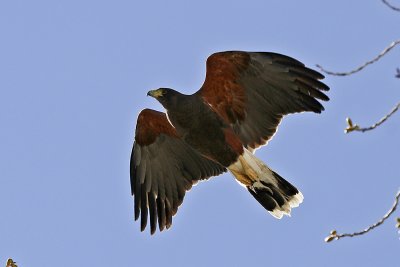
(162, 169)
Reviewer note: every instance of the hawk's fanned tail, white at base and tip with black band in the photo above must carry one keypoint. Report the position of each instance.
(273, 192)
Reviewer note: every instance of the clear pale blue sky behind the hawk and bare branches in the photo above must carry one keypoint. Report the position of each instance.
(74, 76)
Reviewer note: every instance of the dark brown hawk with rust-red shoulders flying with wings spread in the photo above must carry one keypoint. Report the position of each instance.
(237, 110)
